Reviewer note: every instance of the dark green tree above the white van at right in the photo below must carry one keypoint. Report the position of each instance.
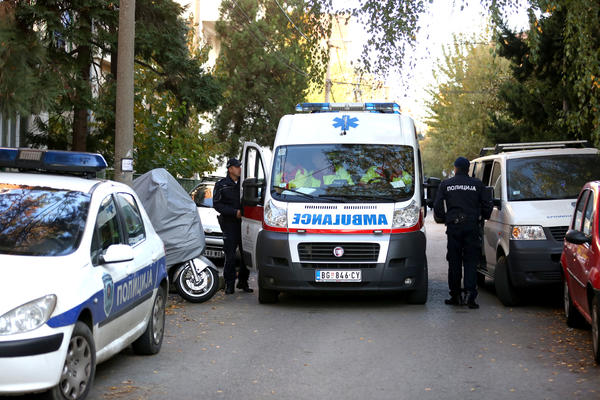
(554, 95)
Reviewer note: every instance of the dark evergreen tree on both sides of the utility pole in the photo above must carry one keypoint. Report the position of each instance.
(78, 36)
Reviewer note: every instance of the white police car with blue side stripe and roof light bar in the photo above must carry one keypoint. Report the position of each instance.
(82, 273)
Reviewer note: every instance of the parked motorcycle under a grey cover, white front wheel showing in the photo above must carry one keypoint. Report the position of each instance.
(175, 218)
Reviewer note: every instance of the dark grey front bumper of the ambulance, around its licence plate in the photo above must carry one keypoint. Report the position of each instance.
(402, 270)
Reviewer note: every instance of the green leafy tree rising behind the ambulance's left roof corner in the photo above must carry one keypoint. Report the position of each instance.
(268, 57)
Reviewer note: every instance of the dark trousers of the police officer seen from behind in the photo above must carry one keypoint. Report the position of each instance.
(464, 249)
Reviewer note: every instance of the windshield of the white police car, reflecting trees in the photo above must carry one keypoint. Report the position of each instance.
(41, 221)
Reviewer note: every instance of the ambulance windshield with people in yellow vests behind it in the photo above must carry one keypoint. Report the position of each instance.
(365, 173)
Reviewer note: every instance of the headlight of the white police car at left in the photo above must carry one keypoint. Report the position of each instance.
(28, 317)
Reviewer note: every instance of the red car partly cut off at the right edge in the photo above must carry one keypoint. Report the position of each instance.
(580, 260)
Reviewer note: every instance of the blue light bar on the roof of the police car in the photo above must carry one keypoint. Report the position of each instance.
(52, 160)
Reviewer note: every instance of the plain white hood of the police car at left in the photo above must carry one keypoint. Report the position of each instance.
(26, 278)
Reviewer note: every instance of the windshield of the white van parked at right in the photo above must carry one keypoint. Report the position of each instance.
(550, 177)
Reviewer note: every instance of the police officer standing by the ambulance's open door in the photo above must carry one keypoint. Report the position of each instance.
(226, 200)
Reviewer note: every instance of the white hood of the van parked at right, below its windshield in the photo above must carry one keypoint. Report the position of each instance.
(541, 212)
